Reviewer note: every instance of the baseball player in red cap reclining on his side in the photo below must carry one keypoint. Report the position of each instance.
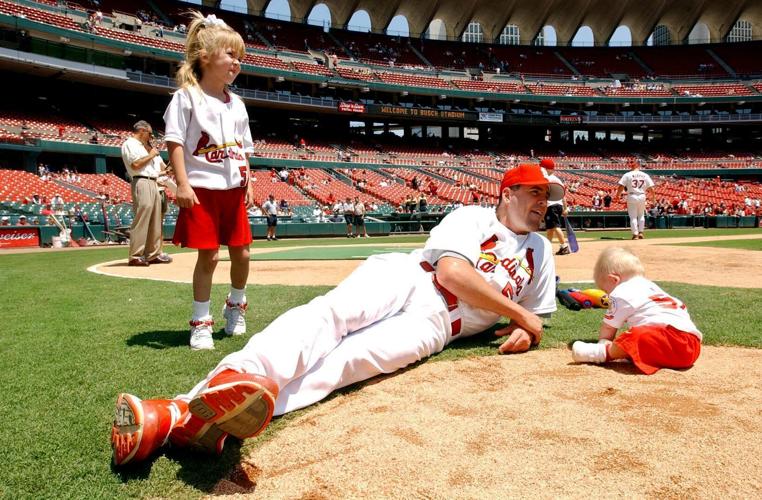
(477, 266)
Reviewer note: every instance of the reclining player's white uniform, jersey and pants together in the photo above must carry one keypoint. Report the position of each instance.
(389, 312)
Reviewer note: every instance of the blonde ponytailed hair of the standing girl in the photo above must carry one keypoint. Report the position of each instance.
(205, 37)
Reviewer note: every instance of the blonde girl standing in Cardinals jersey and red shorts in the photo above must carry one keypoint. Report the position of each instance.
(208, 138)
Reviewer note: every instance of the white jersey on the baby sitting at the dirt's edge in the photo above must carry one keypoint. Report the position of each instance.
(638, 302)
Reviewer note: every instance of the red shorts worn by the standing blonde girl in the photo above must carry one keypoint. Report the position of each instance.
(219, 219)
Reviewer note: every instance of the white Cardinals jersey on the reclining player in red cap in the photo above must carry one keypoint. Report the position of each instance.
(521, 267)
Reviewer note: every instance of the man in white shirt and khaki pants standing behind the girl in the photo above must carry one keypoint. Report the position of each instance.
(144, 165)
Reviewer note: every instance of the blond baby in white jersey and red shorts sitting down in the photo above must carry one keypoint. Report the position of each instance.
(661, 333)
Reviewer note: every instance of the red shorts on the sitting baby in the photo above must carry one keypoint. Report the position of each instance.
(652, 347)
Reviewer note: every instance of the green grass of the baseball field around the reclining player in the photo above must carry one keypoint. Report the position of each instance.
(75, 339)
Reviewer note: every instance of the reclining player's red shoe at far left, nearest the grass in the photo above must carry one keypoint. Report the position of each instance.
(142, 427)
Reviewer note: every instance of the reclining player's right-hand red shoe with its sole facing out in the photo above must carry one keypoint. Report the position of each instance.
(236, 404)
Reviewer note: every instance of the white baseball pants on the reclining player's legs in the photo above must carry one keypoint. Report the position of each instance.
(382, 317)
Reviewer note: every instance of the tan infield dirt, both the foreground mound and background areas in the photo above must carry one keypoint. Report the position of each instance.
(528, 425)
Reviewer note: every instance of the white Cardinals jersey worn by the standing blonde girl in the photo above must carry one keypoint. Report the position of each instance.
(215, 137)
